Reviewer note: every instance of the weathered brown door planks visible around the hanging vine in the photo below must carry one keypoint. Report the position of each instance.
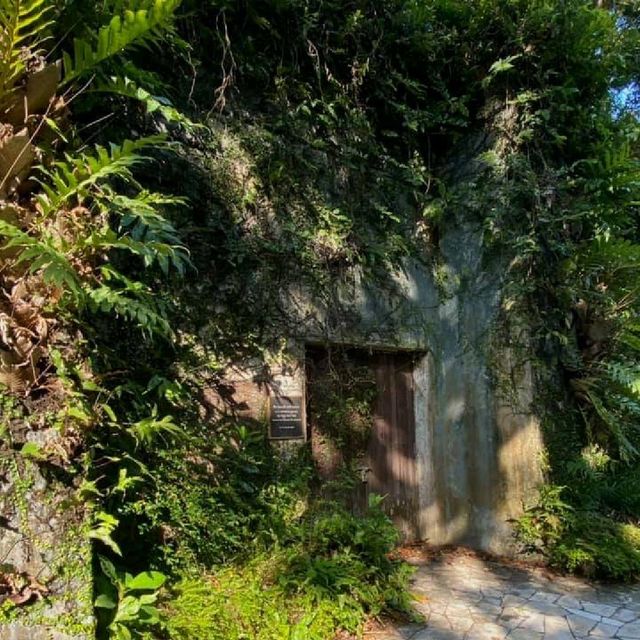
(388, 457)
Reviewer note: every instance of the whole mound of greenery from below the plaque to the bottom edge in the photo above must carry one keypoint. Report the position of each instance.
(285, 565)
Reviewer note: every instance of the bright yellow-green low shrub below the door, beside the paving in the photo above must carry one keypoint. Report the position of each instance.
(332, 576)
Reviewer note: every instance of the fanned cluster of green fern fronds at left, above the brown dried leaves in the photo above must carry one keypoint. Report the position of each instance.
(63, 259)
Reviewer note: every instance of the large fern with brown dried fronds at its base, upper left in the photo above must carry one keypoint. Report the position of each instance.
(57, 246)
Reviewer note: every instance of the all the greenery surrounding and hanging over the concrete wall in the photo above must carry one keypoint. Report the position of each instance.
(185, 160)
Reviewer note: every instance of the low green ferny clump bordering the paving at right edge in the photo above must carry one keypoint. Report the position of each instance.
(579, 541)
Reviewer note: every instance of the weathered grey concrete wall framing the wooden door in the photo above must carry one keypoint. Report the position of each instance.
(478, 449)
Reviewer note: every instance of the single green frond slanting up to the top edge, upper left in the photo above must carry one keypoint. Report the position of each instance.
(136, 26)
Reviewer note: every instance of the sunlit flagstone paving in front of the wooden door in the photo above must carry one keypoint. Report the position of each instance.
(464, 597)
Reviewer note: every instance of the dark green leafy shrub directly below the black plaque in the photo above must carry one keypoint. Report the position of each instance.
(226, 494)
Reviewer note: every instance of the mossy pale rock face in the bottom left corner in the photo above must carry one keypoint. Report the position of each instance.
(45, 554)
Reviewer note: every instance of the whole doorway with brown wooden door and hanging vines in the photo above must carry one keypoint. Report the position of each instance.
(361, 424)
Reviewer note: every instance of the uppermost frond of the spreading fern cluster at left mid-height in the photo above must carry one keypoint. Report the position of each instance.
(75, 176)
